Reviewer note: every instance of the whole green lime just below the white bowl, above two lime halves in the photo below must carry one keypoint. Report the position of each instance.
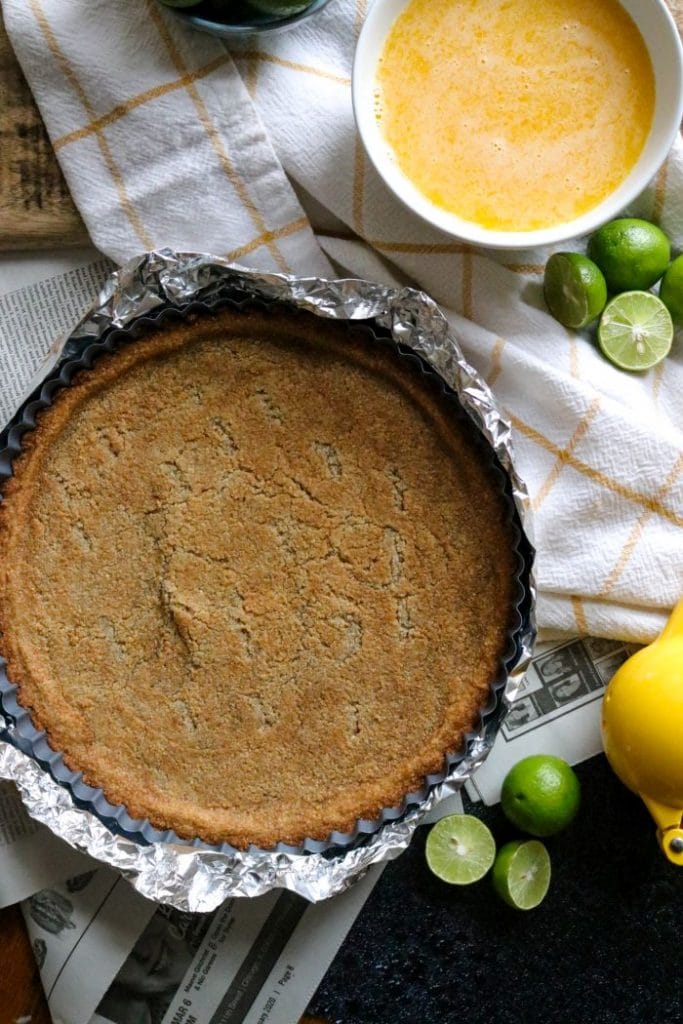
(633, 254)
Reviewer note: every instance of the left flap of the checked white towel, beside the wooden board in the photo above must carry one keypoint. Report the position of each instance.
(157, 135)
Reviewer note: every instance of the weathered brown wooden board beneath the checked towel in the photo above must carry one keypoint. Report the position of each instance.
(36, 210)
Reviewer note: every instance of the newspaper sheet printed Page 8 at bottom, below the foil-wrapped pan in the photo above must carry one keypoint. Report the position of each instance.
(107, 956)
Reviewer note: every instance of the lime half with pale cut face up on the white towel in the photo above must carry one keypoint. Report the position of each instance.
(635, 331)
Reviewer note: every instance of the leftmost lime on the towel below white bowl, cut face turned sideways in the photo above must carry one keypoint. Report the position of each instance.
(575, 289)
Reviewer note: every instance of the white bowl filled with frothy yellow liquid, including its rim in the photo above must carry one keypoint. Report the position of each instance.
(517, 122)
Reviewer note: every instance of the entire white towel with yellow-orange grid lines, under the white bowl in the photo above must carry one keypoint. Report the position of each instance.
(162, 146)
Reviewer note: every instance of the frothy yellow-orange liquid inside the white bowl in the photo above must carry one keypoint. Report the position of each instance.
(516, 114)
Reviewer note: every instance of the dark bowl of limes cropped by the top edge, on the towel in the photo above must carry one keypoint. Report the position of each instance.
(238, 19)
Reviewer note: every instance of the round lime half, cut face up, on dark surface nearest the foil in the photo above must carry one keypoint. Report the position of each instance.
(460, 849)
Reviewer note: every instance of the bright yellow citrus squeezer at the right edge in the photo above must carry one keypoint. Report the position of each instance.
(643, 731)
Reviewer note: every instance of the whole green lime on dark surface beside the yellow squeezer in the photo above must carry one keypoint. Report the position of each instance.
(541, 795)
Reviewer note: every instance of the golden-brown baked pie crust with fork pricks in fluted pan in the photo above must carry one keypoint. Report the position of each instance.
(257, 577)
